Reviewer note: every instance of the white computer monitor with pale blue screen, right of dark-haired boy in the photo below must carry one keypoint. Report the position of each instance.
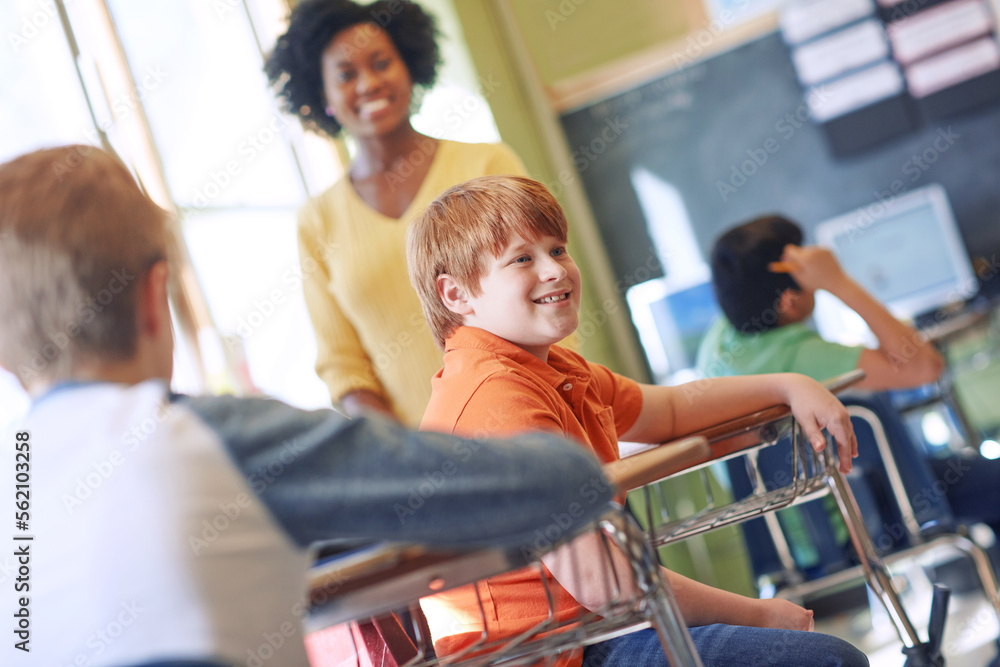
(907, 252)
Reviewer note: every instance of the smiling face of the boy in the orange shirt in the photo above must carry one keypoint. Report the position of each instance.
(530, 295)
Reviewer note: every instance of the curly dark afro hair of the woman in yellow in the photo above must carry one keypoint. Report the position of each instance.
(293, 67)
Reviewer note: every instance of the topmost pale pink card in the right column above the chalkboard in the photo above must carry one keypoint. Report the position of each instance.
(938, 28)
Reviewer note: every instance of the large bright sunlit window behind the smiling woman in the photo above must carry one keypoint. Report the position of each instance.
(178, 88)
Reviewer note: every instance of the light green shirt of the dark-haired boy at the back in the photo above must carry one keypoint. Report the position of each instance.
(793, 348)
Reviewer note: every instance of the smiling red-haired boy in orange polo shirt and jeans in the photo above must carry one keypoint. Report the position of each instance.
(489, 262)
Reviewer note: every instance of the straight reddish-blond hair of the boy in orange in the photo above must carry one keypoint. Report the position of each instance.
(468, 225)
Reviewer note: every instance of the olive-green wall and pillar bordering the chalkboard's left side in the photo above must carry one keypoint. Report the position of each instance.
(510, 43)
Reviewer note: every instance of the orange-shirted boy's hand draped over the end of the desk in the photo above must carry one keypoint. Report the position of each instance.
(815, 408)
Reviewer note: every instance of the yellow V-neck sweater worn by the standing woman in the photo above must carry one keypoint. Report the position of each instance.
(370, 329)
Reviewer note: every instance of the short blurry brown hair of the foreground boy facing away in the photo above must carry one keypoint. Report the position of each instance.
(77, 235)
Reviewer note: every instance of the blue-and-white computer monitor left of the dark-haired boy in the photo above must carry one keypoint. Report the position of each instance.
(671, 318)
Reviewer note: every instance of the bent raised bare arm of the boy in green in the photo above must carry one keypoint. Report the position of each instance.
(904, 358)
